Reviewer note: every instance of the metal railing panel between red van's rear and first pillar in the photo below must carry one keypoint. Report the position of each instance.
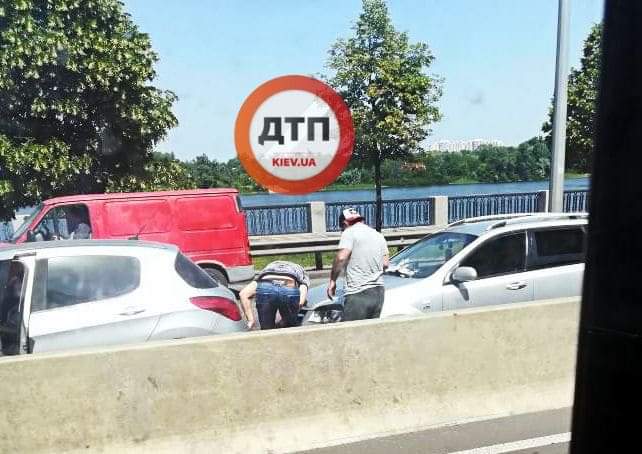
(278, 219)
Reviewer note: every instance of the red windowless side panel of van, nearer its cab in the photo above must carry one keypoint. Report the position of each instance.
(132, 217)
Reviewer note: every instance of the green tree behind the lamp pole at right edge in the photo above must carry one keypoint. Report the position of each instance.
(581, 106)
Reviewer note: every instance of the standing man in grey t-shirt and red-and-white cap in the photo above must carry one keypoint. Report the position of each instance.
(363, 253)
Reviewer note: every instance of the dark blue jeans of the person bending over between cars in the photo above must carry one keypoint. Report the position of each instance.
(272, 297)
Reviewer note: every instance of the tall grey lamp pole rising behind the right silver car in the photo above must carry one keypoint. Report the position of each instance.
(556, 183)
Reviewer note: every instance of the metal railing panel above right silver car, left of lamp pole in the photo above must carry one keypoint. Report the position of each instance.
(489, 204)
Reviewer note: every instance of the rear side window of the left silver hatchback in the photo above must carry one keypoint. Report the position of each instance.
(81, 279)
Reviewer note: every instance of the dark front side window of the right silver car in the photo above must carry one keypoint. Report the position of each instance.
(502, 255)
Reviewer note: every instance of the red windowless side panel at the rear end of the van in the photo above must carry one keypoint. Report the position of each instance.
(205, 213)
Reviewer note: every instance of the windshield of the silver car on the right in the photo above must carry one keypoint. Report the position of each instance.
(425, 257)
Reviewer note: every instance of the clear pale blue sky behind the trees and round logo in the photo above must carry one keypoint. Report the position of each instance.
(497, 58)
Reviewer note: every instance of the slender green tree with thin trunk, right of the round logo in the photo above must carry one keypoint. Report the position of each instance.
(382, 78)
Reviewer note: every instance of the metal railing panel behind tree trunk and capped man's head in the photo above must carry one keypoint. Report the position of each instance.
(396, 213)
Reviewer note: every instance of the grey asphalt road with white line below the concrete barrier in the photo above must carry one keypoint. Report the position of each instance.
(535, 433)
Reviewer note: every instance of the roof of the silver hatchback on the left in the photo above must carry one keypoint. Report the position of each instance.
(86, 245)
